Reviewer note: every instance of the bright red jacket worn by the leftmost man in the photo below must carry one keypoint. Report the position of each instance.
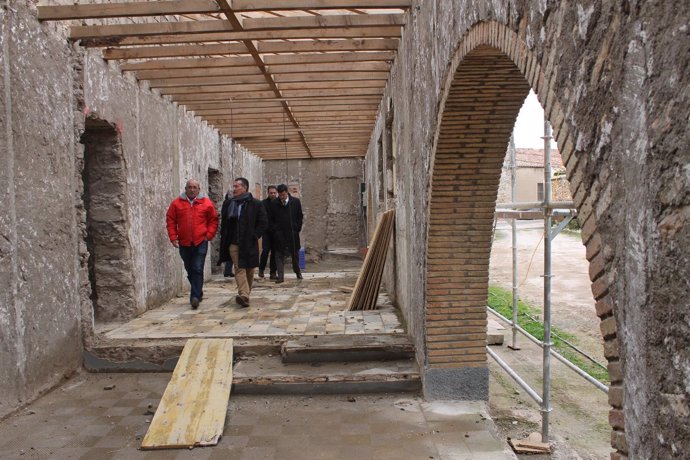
(191, 223)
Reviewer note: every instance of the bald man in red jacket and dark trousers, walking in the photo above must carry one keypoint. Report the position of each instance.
(192, 222)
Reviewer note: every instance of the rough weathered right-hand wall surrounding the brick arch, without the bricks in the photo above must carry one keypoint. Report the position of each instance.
(613, 78)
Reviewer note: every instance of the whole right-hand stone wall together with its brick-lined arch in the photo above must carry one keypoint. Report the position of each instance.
(612, 78)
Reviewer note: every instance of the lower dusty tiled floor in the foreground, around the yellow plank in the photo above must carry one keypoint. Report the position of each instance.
(82, 420)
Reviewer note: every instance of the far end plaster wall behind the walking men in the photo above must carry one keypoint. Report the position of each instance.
(329, 191)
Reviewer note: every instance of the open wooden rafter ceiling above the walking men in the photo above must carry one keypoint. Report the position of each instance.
(286, 79)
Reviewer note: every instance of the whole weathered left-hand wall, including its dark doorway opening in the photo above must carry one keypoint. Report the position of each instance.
(53, 101)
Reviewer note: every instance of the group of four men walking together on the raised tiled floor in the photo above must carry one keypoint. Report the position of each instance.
(192, 221)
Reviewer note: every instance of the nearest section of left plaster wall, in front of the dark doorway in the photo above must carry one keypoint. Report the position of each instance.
(39, 262)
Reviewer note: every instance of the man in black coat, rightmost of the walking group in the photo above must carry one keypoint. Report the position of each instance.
(286, 223)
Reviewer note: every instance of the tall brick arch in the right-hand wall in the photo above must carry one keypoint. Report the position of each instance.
(487, 81)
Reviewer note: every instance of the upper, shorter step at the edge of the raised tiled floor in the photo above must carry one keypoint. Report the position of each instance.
(343, 348)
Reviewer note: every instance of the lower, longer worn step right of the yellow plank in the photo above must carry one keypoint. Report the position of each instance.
(268, 374)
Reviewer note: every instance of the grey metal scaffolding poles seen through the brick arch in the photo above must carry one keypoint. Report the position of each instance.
(548, 210)
